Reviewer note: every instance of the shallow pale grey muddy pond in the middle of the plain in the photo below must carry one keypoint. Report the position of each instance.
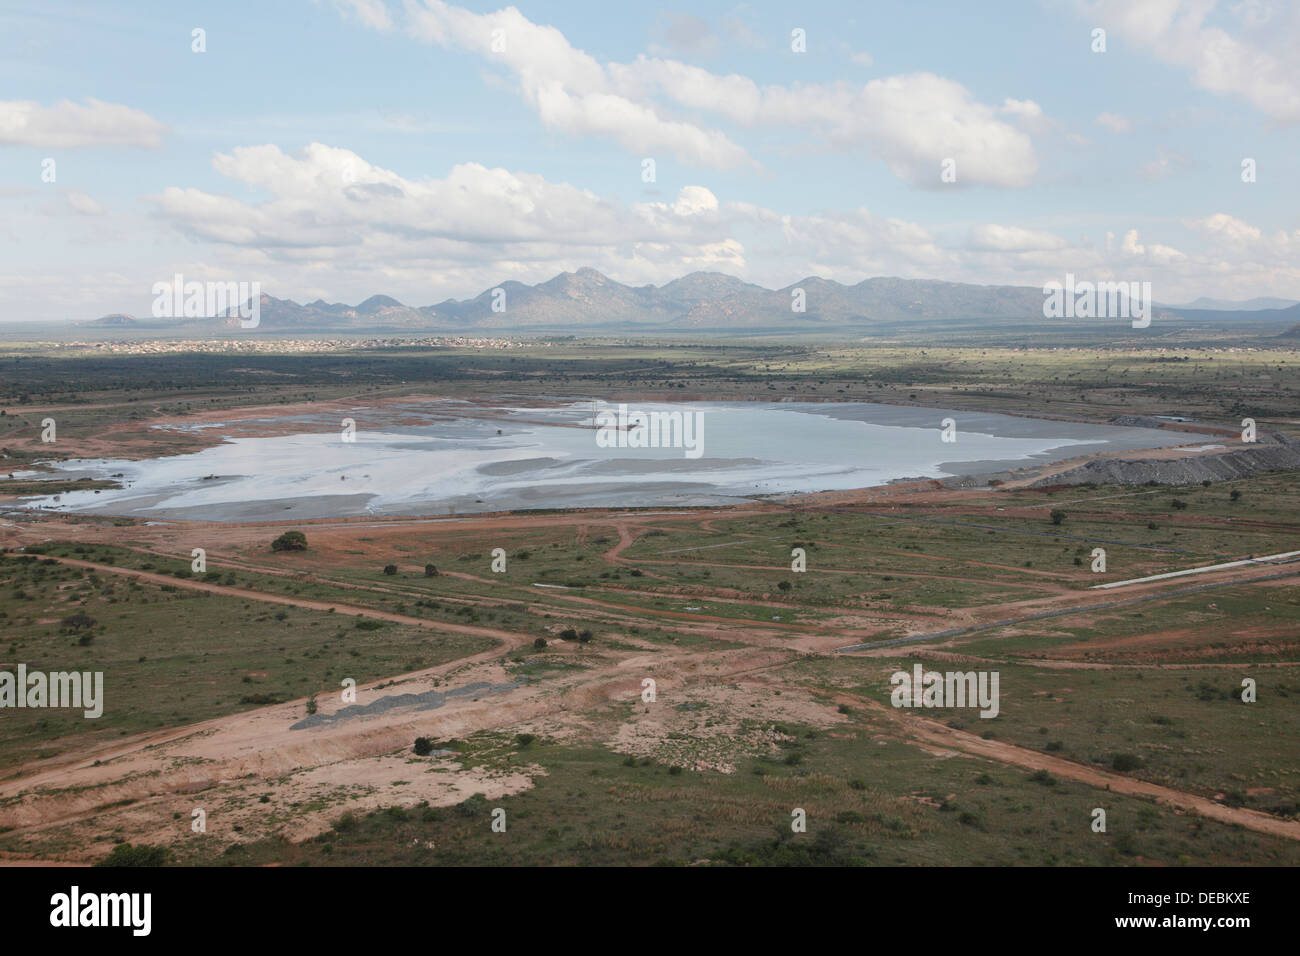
(443, 457)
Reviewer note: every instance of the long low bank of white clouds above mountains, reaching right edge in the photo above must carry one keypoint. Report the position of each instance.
(335, 224)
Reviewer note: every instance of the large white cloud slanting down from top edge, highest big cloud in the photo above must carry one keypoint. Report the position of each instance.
(913, 123)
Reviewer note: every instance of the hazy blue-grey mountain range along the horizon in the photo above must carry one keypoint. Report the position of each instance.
(701, 302)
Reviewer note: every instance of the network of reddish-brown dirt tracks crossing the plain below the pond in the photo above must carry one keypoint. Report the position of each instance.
(232, 763)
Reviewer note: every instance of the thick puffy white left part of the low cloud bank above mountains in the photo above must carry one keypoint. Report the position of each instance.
(331, 206)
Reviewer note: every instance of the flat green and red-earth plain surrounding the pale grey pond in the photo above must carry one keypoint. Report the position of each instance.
(527, 686)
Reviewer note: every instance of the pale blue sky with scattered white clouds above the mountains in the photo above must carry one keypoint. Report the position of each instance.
(340, 149)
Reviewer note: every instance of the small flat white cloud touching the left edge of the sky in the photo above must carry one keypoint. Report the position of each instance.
(67, 126)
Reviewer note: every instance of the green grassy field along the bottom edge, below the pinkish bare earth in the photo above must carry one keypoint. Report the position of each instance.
(868, 802)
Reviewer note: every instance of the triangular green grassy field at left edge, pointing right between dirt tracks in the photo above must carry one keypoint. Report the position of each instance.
(174, 657)
